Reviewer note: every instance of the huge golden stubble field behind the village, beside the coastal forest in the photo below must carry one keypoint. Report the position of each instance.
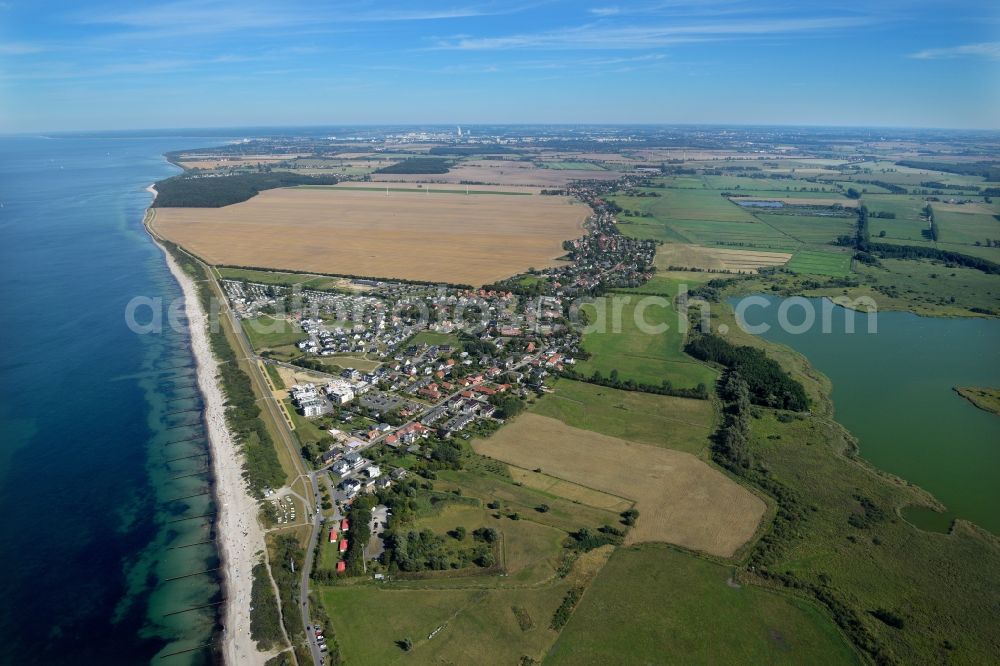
(467, 239)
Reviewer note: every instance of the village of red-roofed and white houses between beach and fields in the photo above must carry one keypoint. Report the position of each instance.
(448, 360)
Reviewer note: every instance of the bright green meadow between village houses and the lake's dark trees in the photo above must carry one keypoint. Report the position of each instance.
(646, 357)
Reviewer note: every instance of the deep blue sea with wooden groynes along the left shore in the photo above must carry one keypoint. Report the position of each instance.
(105, 496)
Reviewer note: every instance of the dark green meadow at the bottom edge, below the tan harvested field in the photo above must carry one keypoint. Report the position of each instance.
(653, 601)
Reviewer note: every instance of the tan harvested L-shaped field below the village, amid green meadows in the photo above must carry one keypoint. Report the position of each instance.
(680, 498)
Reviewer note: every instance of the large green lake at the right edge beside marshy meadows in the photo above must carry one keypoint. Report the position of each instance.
(894, 391)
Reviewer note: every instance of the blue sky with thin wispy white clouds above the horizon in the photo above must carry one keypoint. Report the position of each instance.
(79, 65)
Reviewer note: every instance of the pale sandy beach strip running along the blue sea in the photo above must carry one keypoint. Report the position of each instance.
(239, 537)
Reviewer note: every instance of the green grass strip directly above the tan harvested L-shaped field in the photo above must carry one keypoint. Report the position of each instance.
(673, 423)
